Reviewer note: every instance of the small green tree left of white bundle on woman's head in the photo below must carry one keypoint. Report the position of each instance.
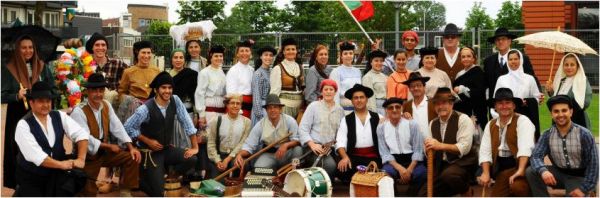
(156, 34)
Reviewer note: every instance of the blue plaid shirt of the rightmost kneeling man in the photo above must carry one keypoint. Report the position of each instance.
(574, 151)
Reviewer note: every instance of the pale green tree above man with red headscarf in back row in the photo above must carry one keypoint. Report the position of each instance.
(434, 12)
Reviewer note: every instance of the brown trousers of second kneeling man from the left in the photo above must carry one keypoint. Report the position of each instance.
(129, 171)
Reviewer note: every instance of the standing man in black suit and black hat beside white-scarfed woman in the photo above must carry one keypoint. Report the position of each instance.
(495, 65)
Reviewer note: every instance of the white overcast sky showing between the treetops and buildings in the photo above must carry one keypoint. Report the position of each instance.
(456, 10)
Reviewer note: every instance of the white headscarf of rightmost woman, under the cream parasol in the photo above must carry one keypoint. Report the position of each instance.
(579, 80)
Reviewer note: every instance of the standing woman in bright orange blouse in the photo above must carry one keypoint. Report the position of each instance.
(395, 86)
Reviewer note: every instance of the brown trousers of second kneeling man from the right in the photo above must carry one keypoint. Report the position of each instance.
(502, 188)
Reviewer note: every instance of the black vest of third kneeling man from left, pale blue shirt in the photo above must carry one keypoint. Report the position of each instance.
(159, 127)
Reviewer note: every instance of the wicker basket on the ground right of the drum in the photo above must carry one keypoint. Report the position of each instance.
(366, 184)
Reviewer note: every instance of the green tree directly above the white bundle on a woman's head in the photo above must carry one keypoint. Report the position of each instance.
(194, 11)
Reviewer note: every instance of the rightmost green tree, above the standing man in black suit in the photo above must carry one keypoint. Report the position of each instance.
(509, 16)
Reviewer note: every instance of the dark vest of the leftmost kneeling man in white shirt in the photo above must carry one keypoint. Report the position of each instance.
(56, 152)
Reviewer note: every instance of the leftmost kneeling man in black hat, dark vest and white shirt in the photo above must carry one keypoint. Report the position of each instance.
(42, 162)
